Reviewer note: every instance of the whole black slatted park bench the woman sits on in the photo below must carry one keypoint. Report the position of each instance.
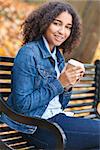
(84, 101)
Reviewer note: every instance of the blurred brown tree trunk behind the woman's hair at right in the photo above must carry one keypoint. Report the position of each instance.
(90, 12)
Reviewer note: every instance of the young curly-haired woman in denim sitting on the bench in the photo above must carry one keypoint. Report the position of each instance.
(42, 84)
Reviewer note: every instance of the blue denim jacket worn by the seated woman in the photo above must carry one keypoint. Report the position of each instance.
(34, 83)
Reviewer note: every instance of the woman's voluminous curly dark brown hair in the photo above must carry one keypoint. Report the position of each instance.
(39, 20)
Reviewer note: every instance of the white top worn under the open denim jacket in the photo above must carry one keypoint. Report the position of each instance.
(54, 106)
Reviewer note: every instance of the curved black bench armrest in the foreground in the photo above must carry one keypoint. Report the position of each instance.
(35, 121)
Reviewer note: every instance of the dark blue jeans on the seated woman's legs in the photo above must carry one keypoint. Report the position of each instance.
(82, 134)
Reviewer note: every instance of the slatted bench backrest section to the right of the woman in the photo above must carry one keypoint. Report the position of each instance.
(86, 94)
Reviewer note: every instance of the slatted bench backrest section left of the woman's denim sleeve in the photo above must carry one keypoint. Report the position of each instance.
(6, 64)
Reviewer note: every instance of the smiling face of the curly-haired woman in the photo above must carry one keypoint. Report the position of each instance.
(59, 30)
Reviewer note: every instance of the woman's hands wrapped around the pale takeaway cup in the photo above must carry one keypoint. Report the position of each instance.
(70, 75)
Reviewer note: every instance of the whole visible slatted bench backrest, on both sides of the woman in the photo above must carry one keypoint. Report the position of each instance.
(86, 94)
